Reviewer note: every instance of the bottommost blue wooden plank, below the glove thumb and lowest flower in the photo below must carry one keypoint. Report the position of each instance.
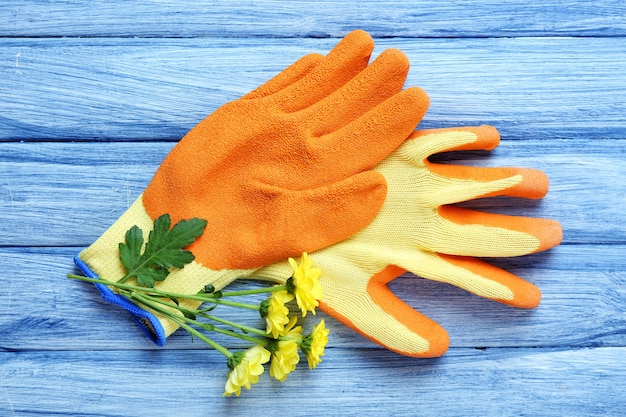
(349, 382)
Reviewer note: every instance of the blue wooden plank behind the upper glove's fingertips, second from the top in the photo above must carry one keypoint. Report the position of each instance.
(157, 89)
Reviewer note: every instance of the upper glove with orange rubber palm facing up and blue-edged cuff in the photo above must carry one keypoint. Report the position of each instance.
(285, 169)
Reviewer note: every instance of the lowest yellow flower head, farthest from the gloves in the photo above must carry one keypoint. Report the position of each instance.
(245, 368)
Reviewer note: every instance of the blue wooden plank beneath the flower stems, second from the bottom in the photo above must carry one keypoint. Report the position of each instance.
(582, 306)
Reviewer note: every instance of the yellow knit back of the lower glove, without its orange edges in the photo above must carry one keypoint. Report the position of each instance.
(408, 232)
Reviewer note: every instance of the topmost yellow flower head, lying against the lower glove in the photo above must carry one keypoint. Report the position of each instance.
(306, 285)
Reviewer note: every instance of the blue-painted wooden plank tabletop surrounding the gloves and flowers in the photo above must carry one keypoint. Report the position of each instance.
(94, 94)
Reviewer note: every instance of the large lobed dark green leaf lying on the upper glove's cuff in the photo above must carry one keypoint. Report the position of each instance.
(163, 251)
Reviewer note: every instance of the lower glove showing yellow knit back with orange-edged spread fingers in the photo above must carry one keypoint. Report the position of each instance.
(418, 230)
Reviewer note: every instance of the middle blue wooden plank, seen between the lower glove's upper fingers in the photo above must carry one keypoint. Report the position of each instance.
(67, 194)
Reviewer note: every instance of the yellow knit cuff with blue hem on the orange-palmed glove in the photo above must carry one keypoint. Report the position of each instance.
(101, 260)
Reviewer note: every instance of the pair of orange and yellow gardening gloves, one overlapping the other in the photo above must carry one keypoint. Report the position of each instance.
(324, 158)
